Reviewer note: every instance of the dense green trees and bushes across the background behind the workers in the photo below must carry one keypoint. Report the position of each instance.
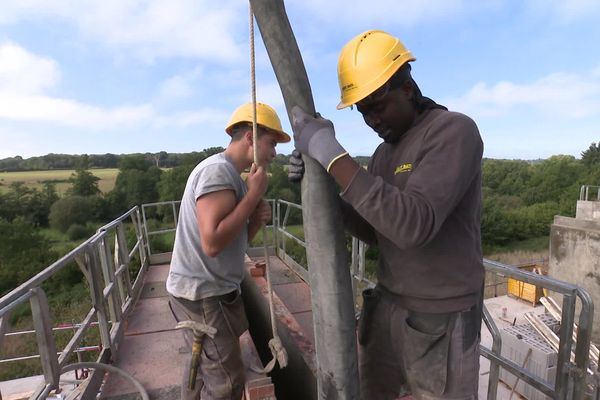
(520, 199)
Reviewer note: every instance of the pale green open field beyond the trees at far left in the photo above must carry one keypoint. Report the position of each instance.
(36, 179)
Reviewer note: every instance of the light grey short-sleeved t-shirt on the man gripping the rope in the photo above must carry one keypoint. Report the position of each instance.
(194, 275)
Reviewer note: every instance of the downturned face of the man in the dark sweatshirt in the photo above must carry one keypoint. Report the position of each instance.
(388, 111)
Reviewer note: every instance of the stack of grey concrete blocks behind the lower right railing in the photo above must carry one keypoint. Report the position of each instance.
(516, 342)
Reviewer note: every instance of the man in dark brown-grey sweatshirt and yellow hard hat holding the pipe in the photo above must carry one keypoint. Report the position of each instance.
(419, 201)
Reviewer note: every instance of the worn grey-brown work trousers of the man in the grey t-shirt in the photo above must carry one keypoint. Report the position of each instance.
(221, 372)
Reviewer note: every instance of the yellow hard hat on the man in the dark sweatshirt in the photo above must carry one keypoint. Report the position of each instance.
(367, 62)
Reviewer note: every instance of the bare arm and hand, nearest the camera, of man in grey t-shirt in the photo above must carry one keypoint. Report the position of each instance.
(220, 219)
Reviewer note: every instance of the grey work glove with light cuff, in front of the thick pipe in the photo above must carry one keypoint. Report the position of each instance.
(315, 137)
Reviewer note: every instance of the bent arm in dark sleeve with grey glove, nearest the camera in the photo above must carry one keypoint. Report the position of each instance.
(409, 217)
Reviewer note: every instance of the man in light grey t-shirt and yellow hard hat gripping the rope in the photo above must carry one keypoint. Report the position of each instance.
(219, 214)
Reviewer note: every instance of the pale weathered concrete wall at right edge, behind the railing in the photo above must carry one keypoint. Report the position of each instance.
(575, 258)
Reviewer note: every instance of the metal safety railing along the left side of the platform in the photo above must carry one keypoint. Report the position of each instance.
(107, 261)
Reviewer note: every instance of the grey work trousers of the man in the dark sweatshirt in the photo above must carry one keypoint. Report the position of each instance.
(430, 355)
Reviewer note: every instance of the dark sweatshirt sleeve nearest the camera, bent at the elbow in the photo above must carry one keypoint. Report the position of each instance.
(449, 161)
